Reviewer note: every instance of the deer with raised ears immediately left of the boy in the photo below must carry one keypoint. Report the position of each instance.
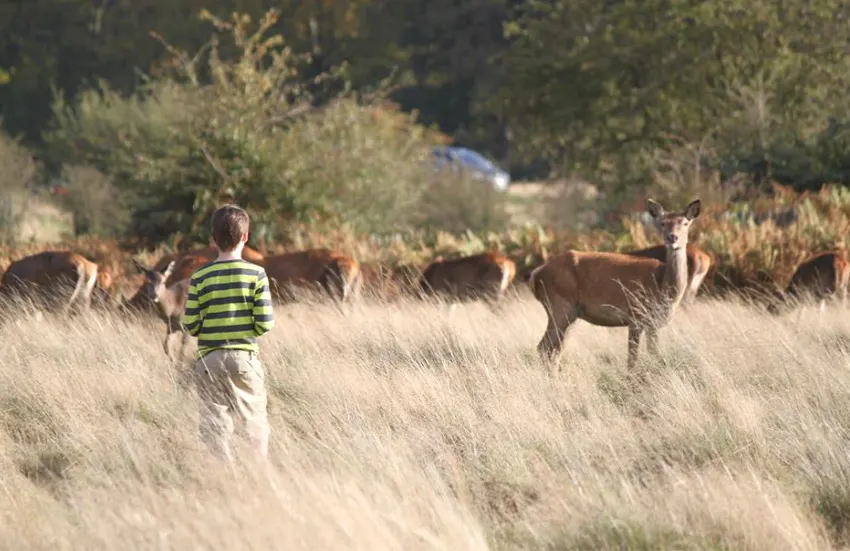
(169, 301)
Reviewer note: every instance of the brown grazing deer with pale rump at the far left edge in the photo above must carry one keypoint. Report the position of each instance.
(50, 275)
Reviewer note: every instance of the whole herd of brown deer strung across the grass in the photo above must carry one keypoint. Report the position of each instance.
(639, 290)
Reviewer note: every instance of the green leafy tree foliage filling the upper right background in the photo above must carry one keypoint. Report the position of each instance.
(598, 86)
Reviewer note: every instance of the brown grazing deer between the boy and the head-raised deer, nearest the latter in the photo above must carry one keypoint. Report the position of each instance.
(481, 276)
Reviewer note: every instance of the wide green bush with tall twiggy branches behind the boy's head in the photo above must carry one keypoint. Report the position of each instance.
(250, 133)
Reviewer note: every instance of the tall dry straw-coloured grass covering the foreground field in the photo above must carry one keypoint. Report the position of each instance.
(397, 427)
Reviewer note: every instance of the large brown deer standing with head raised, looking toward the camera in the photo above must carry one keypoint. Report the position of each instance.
(616, 289)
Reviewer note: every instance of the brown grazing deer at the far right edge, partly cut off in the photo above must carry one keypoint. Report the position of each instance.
(821, 276)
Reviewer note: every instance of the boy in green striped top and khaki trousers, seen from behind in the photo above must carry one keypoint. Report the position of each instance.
(228, 307)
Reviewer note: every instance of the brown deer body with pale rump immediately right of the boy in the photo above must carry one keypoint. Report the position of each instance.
(335, 275)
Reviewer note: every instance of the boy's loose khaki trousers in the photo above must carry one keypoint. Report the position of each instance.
(232, 383)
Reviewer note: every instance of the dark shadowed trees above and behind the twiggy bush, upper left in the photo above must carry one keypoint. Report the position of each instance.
(437, 51)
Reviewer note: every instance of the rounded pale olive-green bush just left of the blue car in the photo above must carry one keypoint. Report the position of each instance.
(356, 166)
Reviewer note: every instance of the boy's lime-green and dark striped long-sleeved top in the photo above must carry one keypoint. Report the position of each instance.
(229, 306)
